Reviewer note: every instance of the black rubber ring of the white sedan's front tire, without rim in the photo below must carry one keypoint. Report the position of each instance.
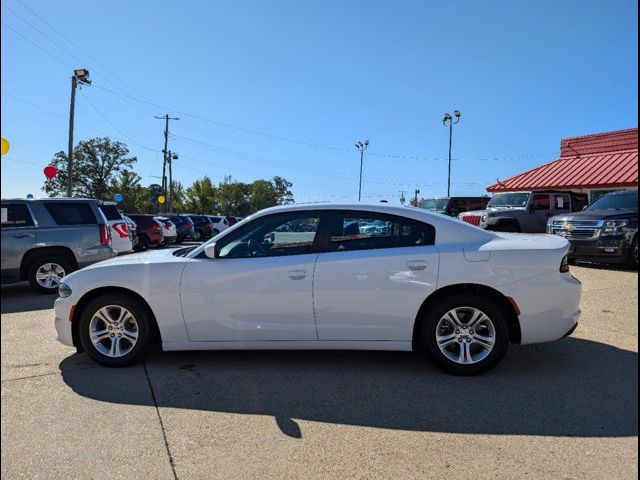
(139, 313)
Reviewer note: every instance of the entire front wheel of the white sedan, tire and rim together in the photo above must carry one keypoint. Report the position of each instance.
(109, 307)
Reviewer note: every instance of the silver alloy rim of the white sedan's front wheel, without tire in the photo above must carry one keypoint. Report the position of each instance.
(113, 330)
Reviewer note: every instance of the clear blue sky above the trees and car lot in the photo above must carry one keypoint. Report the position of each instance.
(286, 88)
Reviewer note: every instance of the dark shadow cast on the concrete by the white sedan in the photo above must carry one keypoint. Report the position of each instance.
(573, 387)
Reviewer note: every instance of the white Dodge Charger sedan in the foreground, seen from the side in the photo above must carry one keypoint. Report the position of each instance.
(310, 277)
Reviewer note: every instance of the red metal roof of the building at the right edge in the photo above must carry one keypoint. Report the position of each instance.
(594, 164)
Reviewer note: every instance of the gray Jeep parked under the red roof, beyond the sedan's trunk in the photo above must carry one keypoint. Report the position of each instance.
(526, 212)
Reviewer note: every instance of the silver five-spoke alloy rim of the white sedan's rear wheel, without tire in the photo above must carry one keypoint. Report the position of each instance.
(465, 335)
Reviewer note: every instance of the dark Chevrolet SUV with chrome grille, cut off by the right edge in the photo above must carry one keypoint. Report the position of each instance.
(605, 231)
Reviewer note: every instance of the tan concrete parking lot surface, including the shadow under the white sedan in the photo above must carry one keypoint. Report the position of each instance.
(566, 409)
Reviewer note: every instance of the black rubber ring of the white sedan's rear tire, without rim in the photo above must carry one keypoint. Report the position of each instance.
(486, 305)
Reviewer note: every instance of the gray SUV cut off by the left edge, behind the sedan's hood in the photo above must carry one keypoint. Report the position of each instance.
(45, 239)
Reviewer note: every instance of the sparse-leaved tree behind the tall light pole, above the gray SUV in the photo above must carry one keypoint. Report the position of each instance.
(96, 163)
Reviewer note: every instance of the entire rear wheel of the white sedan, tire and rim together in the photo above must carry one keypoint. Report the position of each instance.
(478, 357)
